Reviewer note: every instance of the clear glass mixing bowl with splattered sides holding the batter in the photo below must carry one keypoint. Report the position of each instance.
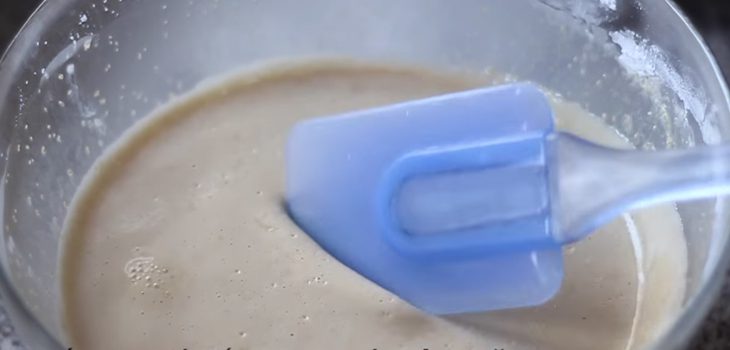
(81, 72)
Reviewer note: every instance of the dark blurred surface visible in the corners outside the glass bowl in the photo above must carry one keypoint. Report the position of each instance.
(711, 17)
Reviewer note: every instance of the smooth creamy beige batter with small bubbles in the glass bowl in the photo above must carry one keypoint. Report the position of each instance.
(178, 239)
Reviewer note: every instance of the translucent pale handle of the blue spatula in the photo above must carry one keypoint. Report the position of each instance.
(591, 184)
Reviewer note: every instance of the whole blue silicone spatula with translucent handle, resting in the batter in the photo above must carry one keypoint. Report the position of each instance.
(461, 202)
